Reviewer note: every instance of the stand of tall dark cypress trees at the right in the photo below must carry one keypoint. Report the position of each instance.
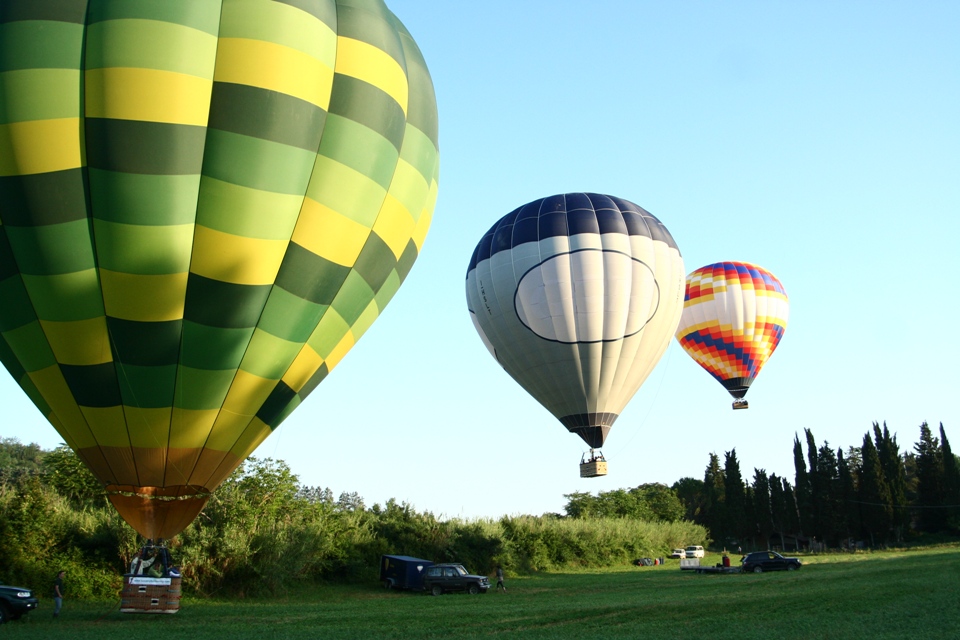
(867, 496)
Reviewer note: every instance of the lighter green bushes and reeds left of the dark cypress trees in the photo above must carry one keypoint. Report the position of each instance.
(262, 532)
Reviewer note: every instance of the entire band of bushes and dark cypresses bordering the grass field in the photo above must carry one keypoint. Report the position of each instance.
(264, 532)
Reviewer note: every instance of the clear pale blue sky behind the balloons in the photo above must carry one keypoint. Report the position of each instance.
(820, 140)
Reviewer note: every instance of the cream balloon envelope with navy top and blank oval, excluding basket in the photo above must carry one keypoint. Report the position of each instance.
(577, 297)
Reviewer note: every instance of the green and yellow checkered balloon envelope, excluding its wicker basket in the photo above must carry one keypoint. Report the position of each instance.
(204, 205)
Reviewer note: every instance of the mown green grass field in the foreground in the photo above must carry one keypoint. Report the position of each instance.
(908, 594)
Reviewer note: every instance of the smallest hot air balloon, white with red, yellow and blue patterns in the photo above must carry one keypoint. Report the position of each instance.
(734, 314)
